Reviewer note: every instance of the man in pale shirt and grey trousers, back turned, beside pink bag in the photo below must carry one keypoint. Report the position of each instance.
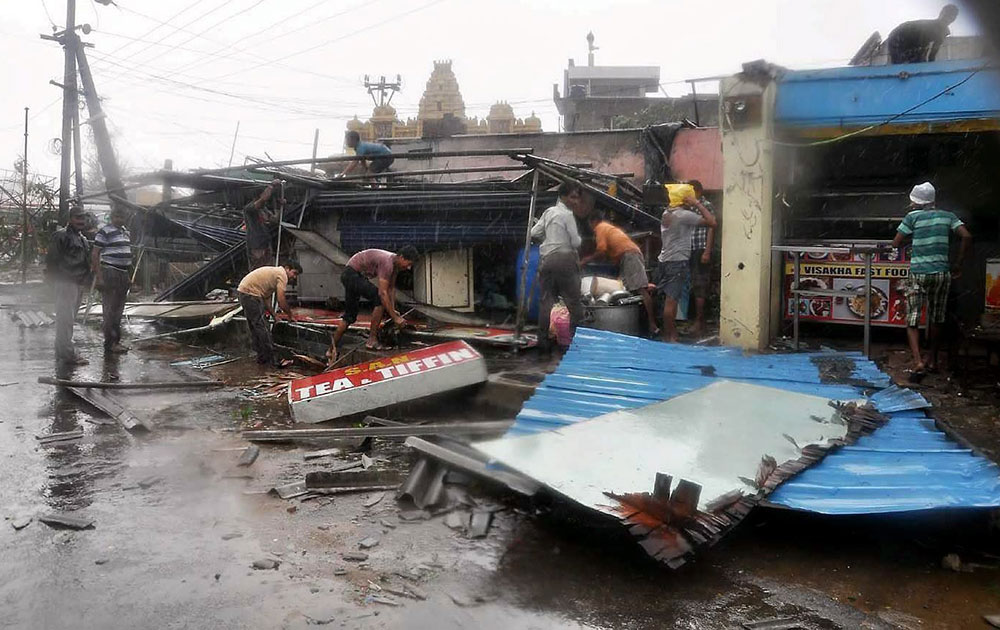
(559, 263)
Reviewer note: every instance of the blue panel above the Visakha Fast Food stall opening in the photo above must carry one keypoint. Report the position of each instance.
(864, 95)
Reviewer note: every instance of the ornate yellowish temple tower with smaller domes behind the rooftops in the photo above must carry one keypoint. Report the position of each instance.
(442, 113)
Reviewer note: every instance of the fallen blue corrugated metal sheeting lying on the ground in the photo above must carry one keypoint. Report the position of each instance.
(907, 465)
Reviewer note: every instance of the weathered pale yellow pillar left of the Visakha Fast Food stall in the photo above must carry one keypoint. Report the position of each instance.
(748, 317)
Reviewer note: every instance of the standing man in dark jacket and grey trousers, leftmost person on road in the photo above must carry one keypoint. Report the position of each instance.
(67, 269)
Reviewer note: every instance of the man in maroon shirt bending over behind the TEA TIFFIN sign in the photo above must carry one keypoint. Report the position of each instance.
(383, 266)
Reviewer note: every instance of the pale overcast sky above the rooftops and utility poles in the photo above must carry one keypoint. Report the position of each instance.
(177, 75)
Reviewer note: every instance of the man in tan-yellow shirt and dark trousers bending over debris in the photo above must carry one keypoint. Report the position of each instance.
(255, 293)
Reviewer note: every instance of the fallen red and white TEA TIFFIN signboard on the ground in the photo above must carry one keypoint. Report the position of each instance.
(382, 382)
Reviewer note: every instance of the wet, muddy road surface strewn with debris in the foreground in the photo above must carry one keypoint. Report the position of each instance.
(175, 552)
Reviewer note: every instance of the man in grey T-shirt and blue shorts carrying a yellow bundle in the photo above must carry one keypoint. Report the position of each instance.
(675, 266)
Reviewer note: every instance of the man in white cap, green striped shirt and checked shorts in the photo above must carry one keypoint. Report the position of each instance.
(930, 274)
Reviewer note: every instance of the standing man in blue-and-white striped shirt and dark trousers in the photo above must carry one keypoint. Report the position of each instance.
(111, 260)
